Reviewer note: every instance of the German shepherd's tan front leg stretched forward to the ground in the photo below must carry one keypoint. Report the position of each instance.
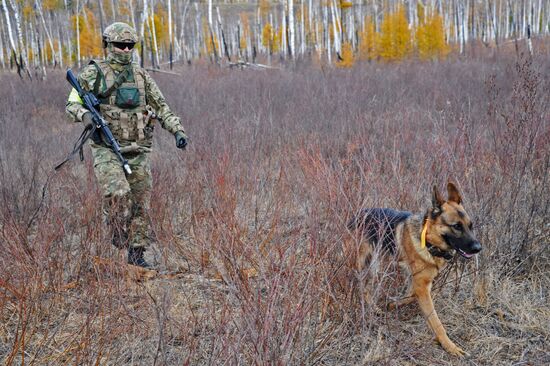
(422, 289)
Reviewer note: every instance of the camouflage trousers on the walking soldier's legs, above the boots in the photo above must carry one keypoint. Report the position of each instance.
(126, 199)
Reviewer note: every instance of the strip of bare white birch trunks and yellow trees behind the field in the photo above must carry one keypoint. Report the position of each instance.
(37, 34)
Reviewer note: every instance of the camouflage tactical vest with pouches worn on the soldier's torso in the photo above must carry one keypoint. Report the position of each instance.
(123, 103)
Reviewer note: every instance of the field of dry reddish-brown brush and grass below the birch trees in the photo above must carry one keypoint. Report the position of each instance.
(251, 219)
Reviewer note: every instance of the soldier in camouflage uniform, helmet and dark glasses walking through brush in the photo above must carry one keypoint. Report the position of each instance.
(129, 98)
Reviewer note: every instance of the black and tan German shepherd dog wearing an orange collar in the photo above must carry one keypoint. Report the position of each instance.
(422, 244)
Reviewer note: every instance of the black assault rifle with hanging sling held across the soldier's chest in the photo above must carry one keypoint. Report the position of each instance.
(91, 103)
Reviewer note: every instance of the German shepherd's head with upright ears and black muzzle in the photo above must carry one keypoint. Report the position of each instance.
(450, 226)
